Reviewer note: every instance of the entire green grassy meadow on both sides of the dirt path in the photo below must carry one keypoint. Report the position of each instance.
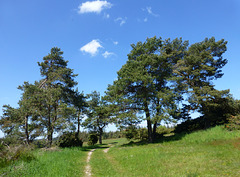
(212, 152)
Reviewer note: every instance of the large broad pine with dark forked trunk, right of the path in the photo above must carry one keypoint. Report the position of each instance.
(144, 85)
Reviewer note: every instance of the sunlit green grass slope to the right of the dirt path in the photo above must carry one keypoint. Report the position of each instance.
(214, 152)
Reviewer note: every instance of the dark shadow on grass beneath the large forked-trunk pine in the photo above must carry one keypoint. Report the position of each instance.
(161, 139)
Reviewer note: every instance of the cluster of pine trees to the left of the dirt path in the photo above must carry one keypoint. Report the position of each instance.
(50, 105)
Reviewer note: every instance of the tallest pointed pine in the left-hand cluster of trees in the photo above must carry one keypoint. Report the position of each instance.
(57, 84)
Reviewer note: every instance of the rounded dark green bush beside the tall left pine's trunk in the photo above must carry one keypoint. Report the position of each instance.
(69, 139)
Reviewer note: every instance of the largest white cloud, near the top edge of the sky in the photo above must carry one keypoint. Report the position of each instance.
(93, 6)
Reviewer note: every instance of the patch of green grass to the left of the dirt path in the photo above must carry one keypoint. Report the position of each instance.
(66, 162)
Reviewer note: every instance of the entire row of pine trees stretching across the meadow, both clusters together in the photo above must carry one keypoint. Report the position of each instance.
(162, 81)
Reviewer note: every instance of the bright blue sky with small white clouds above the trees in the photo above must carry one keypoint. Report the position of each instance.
(95, 36)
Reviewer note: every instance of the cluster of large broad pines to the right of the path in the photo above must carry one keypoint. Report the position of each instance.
(165, 80)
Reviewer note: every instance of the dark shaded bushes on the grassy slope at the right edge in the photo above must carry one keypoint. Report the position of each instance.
(223, 109)
